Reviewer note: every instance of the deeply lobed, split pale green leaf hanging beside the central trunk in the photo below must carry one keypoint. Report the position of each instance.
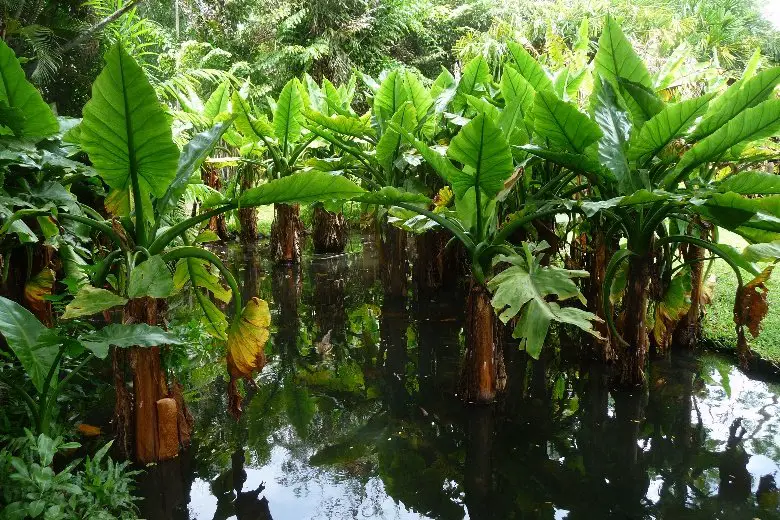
(522, 290)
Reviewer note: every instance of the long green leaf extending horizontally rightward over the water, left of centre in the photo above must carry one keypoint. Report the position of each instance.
(310, 186)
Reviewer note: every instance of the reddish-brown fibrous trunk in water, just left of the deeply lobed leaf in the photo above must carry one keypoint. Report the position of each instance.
(483, 375)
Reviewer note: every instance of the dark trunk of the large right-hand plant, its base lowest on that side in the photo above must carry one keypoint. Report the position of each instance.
(633, 358)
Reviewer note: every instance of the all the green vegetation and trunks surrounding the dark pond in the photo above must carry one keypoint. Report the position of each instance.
(581, 167)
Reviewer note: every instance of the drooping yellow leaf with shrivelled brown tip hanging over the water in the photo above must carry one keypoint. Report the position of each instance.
(246, 339)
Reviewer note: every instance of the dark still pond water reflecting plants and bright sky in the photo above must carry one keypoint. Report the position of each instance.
(356, 417)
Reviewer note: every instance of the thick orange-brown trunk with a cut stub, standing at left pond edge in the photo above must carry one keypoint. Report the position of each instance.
(158, 418)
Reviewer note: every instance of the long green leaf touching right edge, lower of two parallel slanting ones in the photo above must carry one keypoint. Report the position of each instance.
(751, 124)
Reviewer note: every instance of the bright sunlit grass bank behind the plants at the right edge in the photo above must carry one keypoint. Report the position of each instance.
(718, 325)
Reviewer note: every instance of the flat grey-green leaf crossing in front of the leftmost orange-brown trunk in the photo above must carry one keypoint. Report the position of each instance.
(123, 336)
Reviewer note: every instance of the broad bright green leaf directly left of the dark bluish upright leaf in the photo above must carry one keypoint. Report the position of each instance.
(561, 126)
